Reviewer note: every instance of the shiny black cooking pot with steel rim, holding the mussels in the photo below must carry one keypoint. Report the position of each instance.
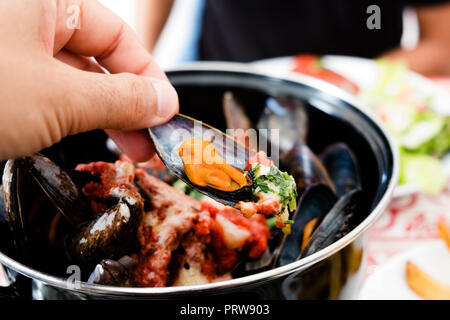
(334, 272)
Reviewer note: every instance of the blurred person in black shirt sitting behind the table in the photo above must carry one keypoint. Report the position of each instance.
(249, 30)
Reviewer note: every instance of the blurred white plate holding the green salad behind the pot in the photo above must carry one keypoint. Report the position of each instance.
(364, 73)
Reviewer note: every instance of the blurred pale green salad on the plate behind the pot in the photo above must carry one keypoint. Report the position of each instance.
(422, 134)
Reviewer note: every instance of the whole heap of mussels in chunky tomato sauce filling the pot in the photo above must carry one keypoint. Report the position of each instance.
(126, 227)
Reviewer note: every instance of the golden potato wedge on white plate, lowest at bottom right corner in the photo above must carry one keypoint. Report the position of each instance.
(425, 285)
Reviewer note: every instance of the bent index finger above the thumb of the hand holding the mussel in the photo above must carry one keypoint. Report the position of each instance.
(105, 36)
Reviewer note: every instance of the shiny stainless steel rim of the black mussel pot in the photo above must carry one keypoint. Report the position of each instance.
(297, 266)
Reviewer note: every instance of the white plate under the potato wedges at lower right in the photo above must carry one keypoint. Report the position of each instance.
(388, 282)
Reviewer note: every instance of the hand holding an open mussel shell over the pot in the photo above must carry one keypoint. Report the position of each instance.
(49, 88)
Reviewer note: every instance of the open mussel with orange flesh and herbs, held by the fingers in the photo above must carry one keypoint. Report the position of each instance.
(223, 169)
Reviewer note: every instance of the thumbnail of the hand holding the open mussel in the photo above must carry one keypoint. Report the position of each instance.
(167, 99)
